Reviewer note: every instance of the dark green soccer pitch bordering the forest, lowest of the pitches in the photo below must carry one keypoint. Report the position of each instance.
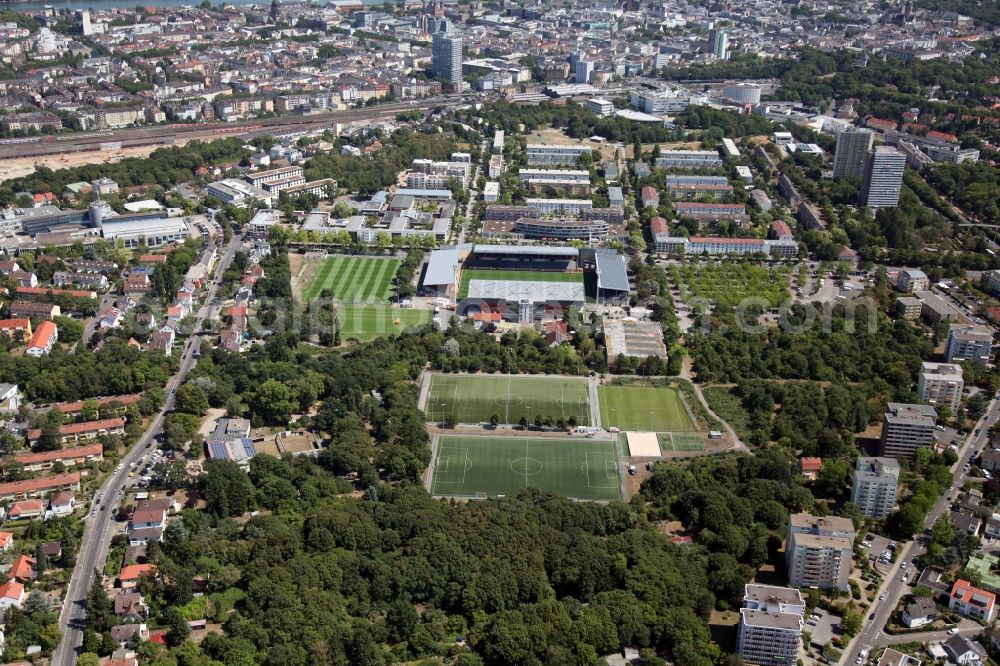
(490, 466)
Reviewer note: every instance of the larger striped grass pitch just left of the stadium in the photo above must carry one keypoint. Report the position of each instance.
(354, 279)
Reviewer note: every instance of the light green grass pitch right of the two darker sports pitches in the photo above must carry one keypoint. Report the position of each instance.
(644, 409)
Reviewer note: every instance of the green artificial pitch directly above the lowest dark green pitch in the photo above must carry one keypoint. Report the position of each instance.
(475, 398)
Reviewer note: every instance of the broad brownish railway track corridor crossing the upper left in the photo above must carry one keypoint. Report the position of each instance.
(166, 134)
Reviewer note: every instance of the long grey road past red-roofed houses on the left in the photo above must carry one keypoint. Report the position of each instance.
(99, 527)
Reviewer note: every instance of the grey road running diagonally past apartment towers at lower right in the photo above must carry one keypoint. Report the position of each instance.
(893, 586)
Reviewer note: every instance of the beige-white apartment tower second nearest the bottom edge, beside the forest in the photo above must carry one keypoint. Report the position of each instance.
(819, 551)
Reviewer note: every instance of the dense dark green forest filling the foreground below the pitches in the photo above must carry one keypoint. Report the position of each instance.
(320, 578)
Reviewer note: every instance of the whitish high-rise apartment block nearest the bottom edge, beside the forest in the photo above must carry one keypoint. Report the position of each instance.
(770, 632)
